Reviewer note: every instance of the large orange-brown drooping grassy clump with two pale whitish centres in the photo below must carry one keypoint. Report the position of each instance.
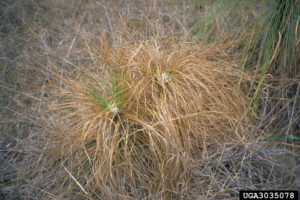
(130, 125)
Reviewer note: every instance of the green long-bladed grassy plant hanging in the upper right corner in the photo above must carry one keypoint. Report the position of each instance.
(267, 33)
